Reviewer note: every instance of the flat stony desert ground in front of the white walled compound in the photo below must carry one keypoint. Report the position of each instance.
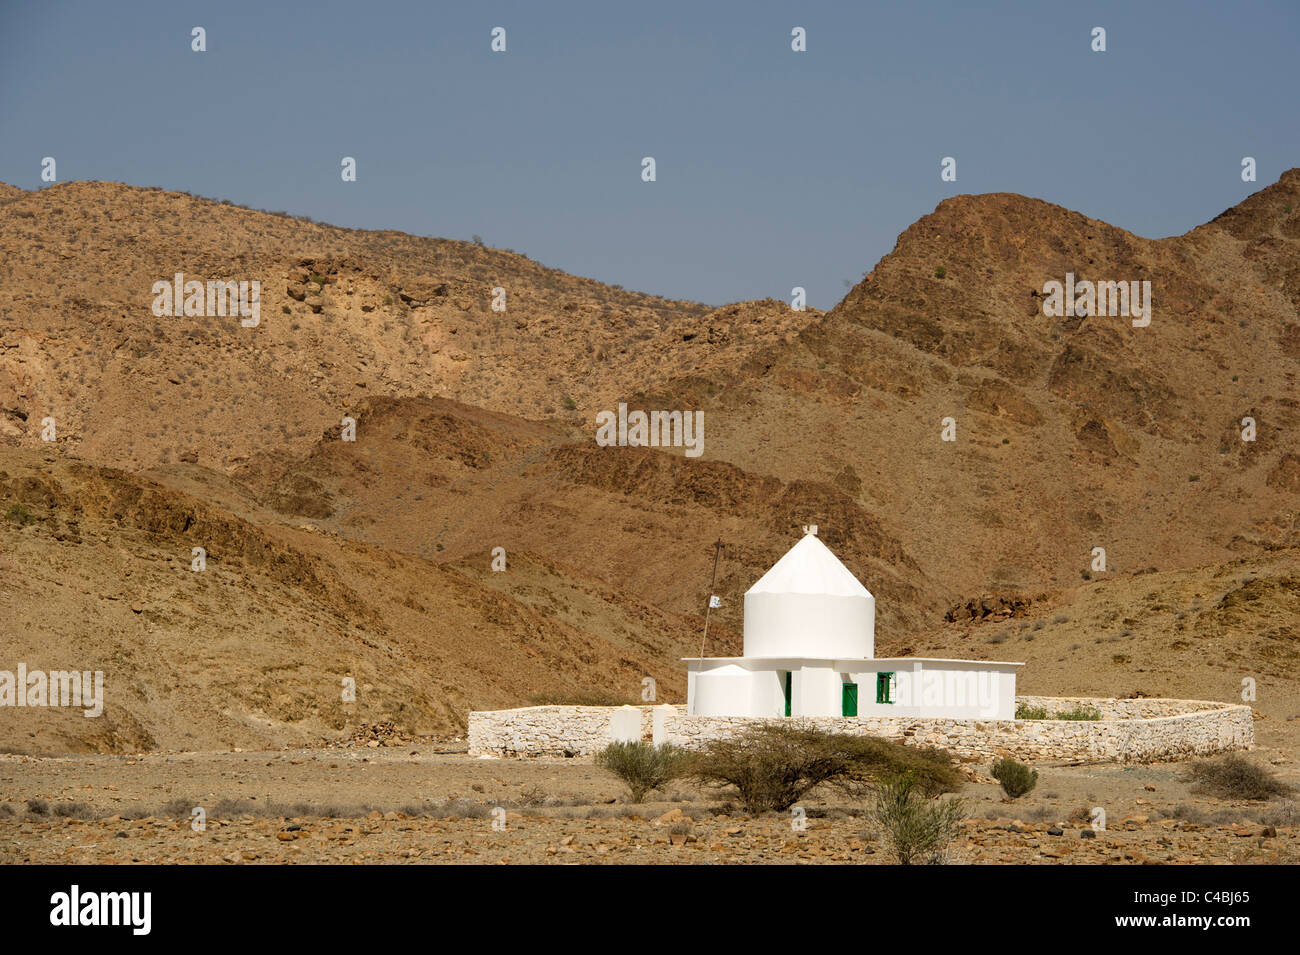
(427, 802)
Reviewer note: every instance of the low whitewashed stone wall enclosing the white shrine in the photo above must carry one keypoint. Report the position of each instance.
(1137, 731)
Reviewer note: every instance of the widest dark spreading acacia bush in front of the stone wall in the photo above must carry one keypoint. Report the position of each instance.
(773, 766)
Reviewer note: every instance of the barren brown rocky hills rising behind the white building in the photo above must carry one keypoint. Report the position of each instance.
(475, 431)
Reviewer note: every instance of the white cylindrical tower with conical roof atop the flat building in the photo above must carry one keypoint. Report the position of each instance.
(811, 606)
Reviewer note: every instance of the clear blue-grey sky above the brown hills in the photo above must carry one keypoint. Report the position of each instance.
(774, 168)
